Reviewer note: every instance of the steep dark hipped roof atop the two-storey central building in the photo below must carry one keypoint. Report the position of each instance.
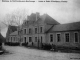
(35, 17)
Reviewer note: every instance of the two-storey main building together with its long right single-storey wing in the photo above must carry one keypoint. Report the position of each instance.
(38, 30)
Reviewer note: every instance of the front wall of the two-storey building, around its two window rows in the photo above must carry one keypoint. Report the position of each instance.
(33, 34)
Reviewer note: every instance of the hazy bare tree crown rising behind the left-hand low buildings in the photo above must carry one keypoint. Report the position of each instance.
(15, 18)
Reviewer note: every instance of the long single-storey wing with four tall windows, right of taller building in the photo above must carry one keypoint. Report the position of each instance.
(66, 35)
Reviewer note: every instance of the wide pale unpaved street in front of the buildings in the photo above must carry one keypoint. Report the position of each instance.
(23, 53)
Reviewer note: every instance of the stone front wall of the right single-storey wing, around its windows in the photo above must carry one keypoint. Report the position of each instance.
(63, 43)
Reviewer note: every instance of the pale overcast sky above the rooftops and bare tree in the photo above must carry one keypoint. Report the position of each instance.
(63, 12)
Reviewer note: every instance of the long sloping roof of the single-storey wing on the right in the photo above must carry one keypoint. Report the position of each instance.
(66, 27)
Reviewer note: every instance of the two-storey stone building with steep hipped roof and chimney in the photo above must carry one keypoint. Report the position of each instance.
(34, 29)
